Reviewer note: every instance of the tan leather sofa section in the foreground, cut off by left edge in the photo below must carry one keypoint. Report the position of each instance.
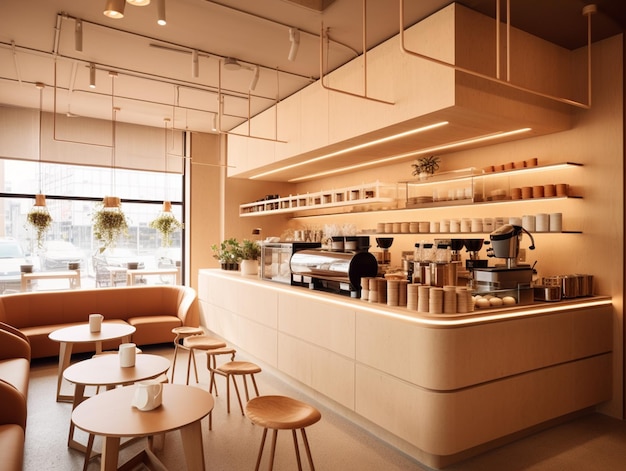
(14, 375)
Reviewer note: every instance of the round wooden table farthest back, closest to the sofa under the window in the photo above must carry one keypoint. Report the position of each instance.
(68, 336)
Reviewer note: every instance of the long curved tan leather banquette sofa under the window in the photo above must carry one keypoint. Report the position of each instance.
(153, 310)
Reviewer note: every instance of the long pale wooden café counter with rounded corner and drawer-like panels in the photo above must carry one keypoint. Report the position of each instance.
(438, 387)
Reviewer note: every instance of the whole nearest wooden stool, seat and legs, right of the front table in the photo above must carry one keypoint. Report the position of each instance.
(282, 413)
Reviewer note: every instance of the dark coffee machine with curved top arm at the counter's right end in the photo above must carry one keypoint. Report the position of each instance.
(510, 275)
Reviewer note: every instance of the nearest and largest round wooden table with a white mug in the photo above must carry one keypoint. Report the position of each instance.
(111, 415)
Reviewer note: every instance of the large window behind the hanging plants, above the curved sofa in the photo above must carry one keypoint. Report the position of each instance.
(72, 194)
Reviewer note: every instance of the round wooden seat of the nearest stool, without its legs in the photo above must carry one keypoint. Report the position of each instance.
(281, 413)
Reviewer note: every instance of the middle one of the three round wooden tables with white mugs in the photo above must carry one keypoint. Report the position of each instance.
(105, 370)
